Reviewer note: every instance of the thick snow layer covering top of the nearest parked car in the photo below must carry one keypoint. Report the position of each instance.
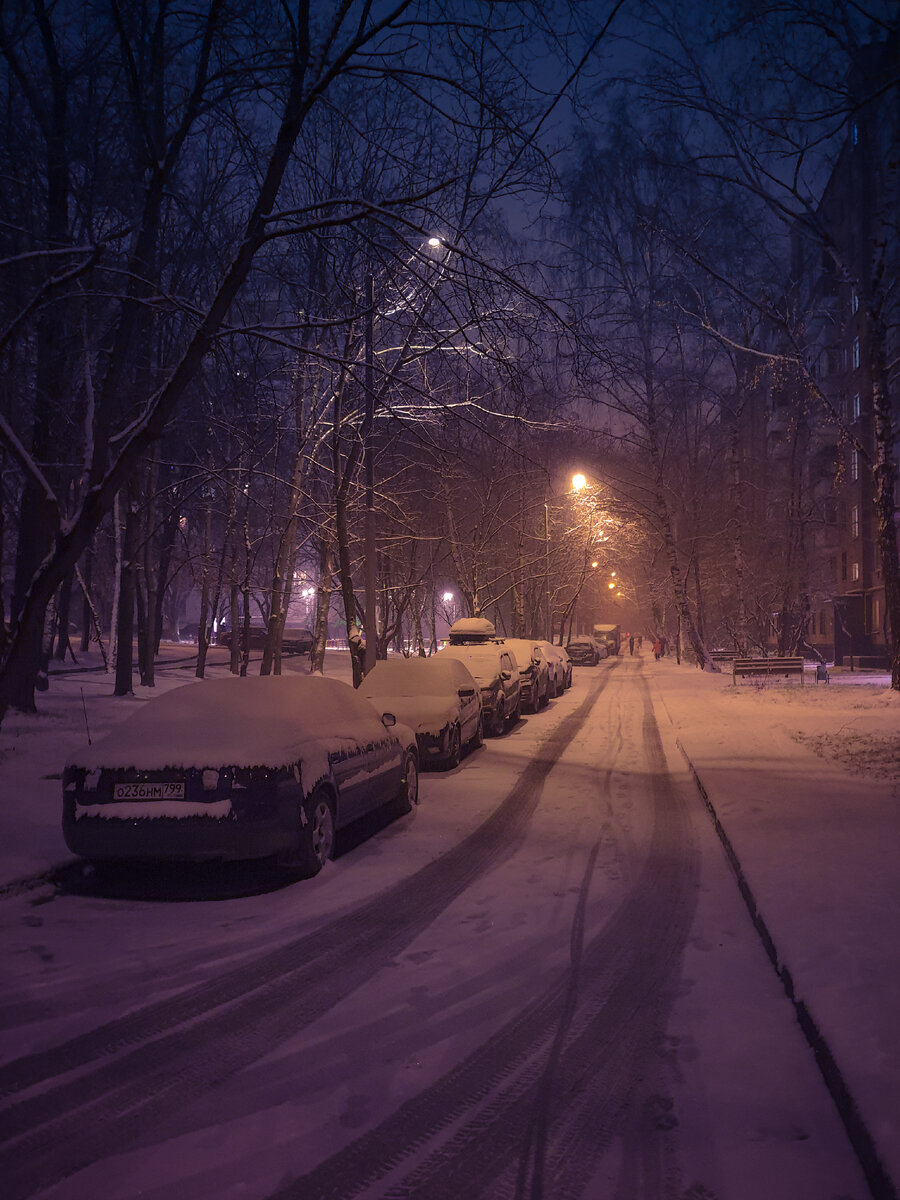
(261, 721)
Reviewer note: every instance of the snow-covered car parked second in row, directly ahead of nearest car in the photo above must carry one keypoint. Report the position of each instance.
(437, 698)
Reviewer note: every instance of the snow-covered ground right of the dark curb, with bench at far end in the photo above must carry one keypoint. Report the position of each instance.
(806, 785)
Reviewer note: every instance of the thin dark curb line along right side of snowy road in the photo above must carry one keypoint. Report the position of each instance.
(877, 1177)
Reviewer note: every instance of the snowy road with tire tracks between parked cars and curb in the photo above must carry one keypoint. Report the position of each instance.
(541, 986)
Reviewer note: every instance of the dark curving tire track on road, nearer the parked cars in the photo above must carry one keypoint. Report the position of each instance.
(103, 1091)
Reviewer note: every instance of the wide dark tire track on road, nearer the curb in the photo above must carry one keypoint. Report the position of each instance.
(530, 1114)
